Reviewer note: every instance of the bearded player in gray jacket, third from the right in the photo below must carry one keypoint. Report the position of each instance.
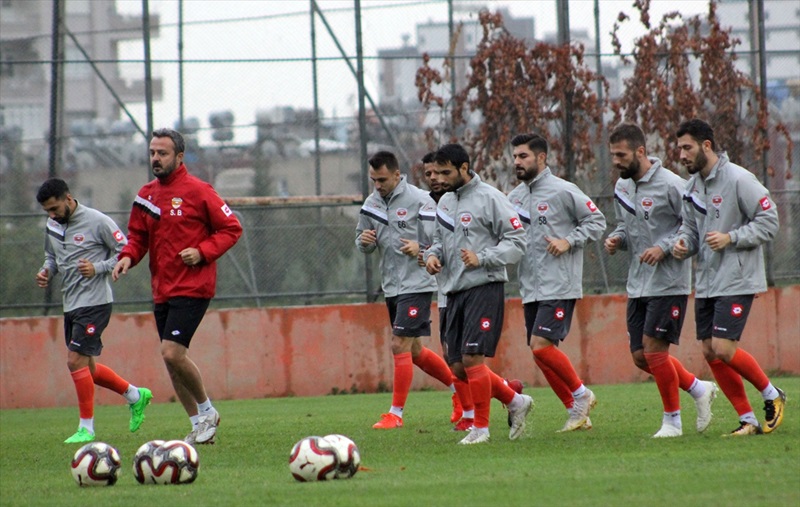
(559, 219)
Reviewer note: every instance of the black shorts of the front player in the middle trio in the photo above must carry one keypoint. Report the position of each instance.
(474, 321)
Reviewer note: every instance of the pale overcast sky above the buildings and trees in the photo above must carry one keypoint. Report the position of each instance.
(277, 34)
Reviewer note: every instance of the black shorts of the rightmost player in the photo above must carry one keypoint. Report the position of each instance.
(722, 317)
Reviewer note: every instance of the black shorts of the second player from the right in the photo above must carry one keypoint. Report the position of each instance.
(660, 317)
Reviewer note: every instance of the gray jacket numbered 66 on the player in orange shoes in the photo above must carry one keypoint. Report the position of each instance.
(407, 213)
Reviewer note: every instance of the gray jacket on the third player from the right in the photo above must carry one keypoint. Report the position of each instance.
(552, 207)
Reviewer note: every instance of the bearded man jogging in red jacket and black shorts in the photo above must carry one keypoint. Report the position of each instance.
(186, 227)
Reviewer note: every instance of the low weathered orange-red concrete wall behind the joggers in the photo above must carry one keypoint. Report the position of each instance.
(305, 351)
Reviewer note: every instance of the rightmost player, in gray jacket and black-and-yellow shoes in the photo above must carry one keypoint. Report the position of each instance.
(727, 217)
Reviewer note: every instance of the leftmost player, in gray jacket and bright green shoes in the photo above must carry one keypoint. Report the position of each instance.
(82, 244)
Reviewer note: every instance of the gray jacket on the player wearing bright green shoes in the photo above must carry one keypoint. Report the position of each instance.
(91, 235)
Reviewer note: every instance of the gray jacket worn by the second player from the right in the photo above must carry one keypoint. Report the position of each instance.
(649, 214)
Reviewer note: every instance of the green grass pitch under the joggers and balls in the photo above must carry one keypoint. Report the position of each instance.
(615, 464)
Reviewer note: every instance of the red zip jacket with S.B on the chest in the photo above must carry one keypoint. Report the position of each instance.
(179, 212)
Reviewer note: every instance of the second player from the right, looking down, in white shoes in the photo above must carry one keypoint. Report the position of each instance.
(648, 209)
